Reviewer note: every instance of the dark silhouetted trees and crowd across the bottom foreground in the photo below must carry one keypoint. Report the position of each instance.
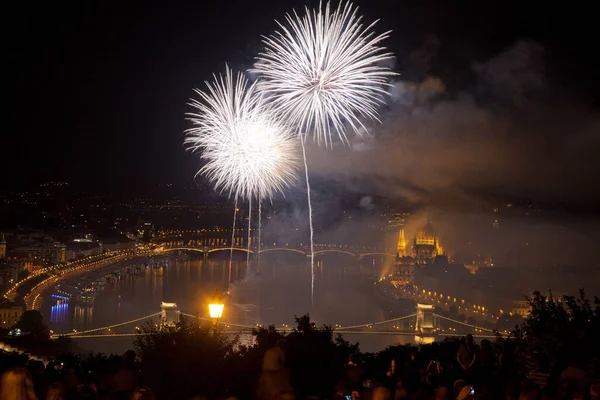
(553, 354)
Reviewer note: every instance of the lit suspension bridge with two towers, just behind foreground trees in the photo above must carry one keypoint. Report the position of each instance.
(424, 323)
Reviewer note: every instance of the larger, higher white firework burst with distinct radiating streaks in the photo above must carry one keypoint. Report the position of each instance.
(324, 70)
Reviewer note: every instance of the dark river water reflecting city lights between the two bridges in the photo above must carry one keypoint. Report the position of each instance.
(280, 290)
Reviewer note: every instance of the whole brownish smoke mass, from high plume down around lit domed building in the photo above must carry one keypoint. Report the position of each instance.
(512, 133)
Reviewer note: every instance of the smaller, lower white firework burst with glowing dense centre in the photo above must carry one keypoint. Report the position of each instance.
(247, 151)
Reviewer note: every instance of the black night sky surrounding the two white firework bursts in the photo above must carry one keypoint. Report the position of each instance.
(97, 92)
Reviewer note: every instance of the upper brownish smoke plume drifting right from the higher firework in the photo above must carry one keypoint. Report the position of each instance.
(511, 133)
